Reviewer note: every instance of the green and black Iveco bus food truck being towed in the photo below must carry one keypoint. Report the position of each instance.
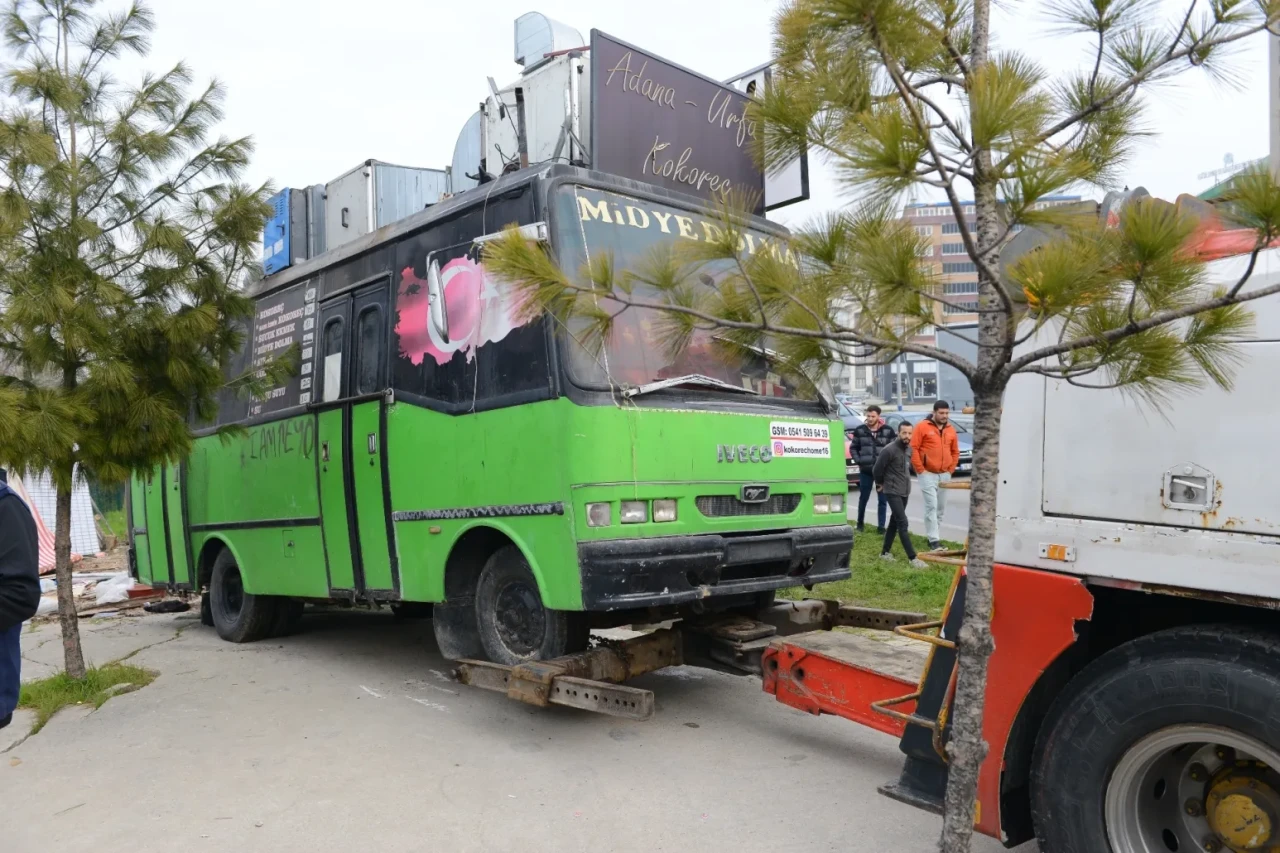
(442, 448)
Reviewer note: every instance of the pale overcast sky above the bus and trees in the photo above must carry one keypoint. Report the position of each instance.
(324, 85)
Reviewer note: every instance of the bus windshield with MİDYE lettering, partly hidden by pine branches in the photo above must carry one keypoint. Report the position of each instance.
(593, 222)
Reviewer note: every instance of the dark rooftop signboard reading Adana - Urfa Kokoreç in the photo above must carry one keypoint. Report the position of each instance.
(662, 125)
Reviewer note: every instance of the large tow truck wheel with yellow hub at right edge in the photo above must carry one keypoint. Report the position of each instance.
(1171, 742)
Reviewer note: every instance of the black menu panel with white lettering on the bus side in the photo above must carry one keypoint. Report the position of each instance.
(282, 321)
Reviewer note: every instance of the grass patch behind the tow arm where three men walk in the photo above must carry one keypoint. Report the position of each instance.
(886, 586)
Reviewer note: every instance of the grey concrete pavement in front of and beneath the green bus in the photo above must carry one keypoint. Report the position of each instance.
(351, 737)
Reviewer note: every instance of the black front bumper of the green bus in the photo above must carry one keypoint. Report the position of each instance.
(625, 574)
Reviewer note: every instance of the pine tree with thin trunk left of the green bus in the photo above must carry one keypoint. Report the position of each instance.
(125, 234)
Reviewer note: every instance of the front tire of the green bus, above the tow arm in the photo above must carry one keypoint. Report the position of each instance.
(515, 627)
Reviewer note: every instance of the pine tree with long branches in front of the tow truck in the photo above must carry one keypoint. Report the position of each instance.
(909, 95)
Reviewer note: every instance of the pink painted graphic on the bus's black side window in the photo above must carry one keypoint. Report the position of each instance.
(479, 313)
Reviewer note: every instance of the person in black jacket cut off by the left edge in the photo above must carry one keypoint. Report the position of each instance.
(20, 591)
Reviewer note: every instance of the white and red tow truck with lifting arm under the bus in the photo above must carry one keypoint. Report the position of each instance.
(1133, 700)
